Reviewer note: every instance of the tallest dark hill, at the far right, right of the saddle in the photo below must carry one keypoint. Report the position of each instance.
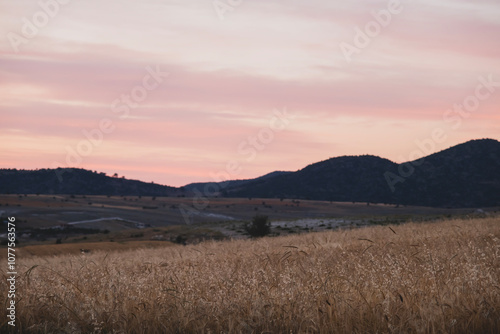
(466, 175)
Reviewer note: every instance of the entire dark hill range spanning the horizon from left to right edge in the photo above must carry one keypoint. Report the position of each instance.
(466, 175)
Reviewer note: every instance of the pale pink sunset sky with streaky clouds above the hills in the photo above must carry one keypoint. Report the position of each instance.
(181, 91)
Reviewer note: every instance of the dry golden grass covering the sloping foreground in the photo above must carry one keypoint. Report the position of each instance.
(413, 278)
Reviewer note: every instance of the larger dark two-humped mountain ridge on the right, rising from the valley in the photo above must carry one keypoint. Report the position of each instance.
(466, 175)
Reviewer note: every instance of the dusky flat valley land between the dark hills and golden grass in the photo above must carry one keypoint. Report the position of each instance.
(45, 219)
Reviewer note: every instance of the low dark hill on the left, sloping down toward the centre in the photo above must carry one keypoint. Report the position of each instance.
(77, 182)
